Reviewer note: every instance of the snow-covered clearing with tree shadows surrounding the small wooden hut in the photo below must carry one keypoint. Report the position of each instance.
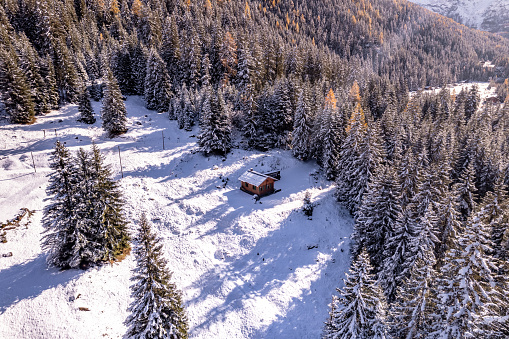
(246, 269)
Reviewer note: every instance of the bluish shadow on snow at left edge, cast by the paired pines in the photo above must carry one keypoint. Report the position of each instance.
(28, 280)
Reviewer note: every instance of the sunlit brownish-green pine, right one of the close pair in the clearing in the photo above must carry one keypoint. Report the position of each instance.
(111, 226)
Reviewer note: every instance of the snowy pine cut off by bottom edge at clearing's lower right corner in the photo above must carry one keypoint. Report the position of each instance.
(359, 311)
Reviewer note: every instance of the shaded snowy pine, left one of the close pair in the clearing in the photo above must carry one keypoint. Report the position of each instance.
(66, 237)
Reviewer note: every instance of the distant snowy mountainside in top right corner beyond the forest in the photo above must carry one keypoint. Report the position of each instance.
(490, 15)
